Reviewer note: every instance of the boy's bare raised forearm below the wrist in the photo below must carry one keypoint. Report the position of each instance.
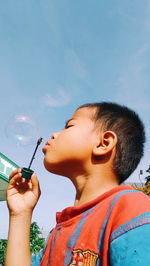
(18, 246)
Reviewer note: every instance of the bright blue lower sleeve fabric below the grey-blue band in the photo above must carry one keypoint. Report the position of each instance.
(131, 248)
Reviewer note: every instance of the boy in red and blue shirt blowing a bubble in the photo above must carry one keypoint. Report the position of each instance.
(109, 224)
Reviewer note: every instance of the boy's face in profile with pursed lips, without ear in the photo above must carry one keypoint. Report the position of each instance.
(69, 151)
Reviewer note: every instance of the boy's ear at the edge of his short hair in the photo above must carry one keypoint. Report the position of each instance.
(106, 142)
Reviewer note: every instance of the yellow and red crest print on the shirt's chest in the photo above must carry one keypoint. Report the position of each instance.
(83, 258)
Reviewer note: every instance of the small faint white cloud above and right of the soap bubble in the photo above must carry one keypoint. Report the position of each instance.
(59, 97)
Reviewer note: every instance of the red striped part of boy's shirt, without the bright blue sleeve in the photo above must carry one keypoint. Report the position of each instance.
(83, 234)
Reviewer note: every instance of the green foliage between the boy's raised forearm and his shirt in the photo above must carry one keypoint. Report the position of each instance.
(36, 242)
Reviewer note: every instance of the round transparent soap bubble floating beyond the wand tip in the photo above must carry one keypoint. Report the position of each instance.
(22, 129)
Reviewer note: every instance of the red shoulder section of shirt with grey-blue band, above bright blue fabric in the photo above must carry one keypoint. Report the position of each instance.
(131, 210)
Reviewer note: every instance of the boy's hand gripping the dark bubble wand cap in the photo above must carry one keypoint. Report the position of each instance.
(22, 195)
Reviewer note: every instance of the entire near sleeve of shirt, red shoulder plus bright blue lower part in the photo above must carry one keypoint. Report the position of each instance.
(130, 229)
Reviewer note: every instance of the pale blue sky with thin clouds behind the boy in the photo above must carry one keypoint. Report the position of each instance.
(56, 55)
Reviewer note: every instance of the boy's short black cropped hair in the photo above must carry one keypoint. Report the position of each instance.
(130, 133)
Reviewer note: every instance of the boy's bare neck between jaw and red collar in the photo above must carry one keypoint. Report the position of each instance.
(91, 186)
